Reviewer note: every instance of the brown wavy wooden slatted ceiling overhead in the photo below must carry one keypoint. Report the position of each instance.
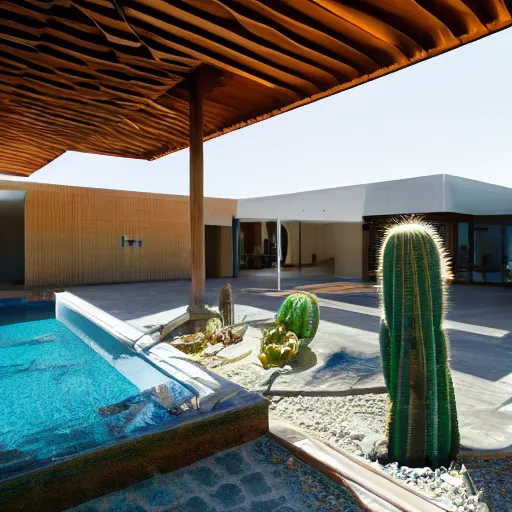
(110, 76)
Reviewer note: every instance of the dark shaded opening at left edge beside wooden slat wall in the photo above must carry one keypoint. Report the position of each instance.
(12, 242)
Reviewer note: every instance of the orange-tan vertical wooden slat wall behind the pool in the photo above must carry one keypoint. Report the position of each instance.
(73, 235)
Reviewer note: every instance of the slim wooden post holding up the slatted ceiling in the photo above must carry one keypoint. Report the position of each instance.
(197, 243)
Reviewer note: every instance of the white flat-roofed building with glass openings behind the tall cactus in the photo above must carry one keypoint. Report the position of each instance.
(344, 224)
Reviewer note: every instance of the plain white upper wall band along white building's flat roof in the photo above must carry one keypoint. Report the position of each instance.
(428, 194)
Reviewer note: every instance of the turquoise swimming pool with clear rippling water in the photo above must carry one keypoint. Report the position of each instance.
(63, 393)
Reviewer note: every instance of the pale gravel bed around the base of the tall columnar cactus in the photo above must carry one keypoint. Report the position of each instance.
(354, 423)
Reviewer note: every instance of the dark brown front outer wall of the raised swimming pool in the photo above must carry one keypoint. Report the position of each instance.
(69, 483)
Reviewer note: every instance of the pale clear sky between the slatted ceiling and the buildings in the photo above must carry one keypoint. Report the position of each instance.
(451, 114)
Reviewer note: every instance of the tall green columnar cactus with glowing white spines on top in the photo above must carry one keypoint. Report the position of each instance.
(422, 423)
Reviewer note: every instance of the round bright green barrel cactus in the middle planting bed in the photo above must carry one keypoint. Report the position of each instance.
(300, 314)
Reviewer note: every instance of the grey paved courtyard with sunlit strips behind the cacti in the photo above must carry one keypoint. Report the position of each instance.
(345, 352)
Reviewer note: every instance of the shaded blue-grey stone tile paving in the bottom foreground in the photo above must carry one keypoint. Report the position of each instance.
(259, 476)
